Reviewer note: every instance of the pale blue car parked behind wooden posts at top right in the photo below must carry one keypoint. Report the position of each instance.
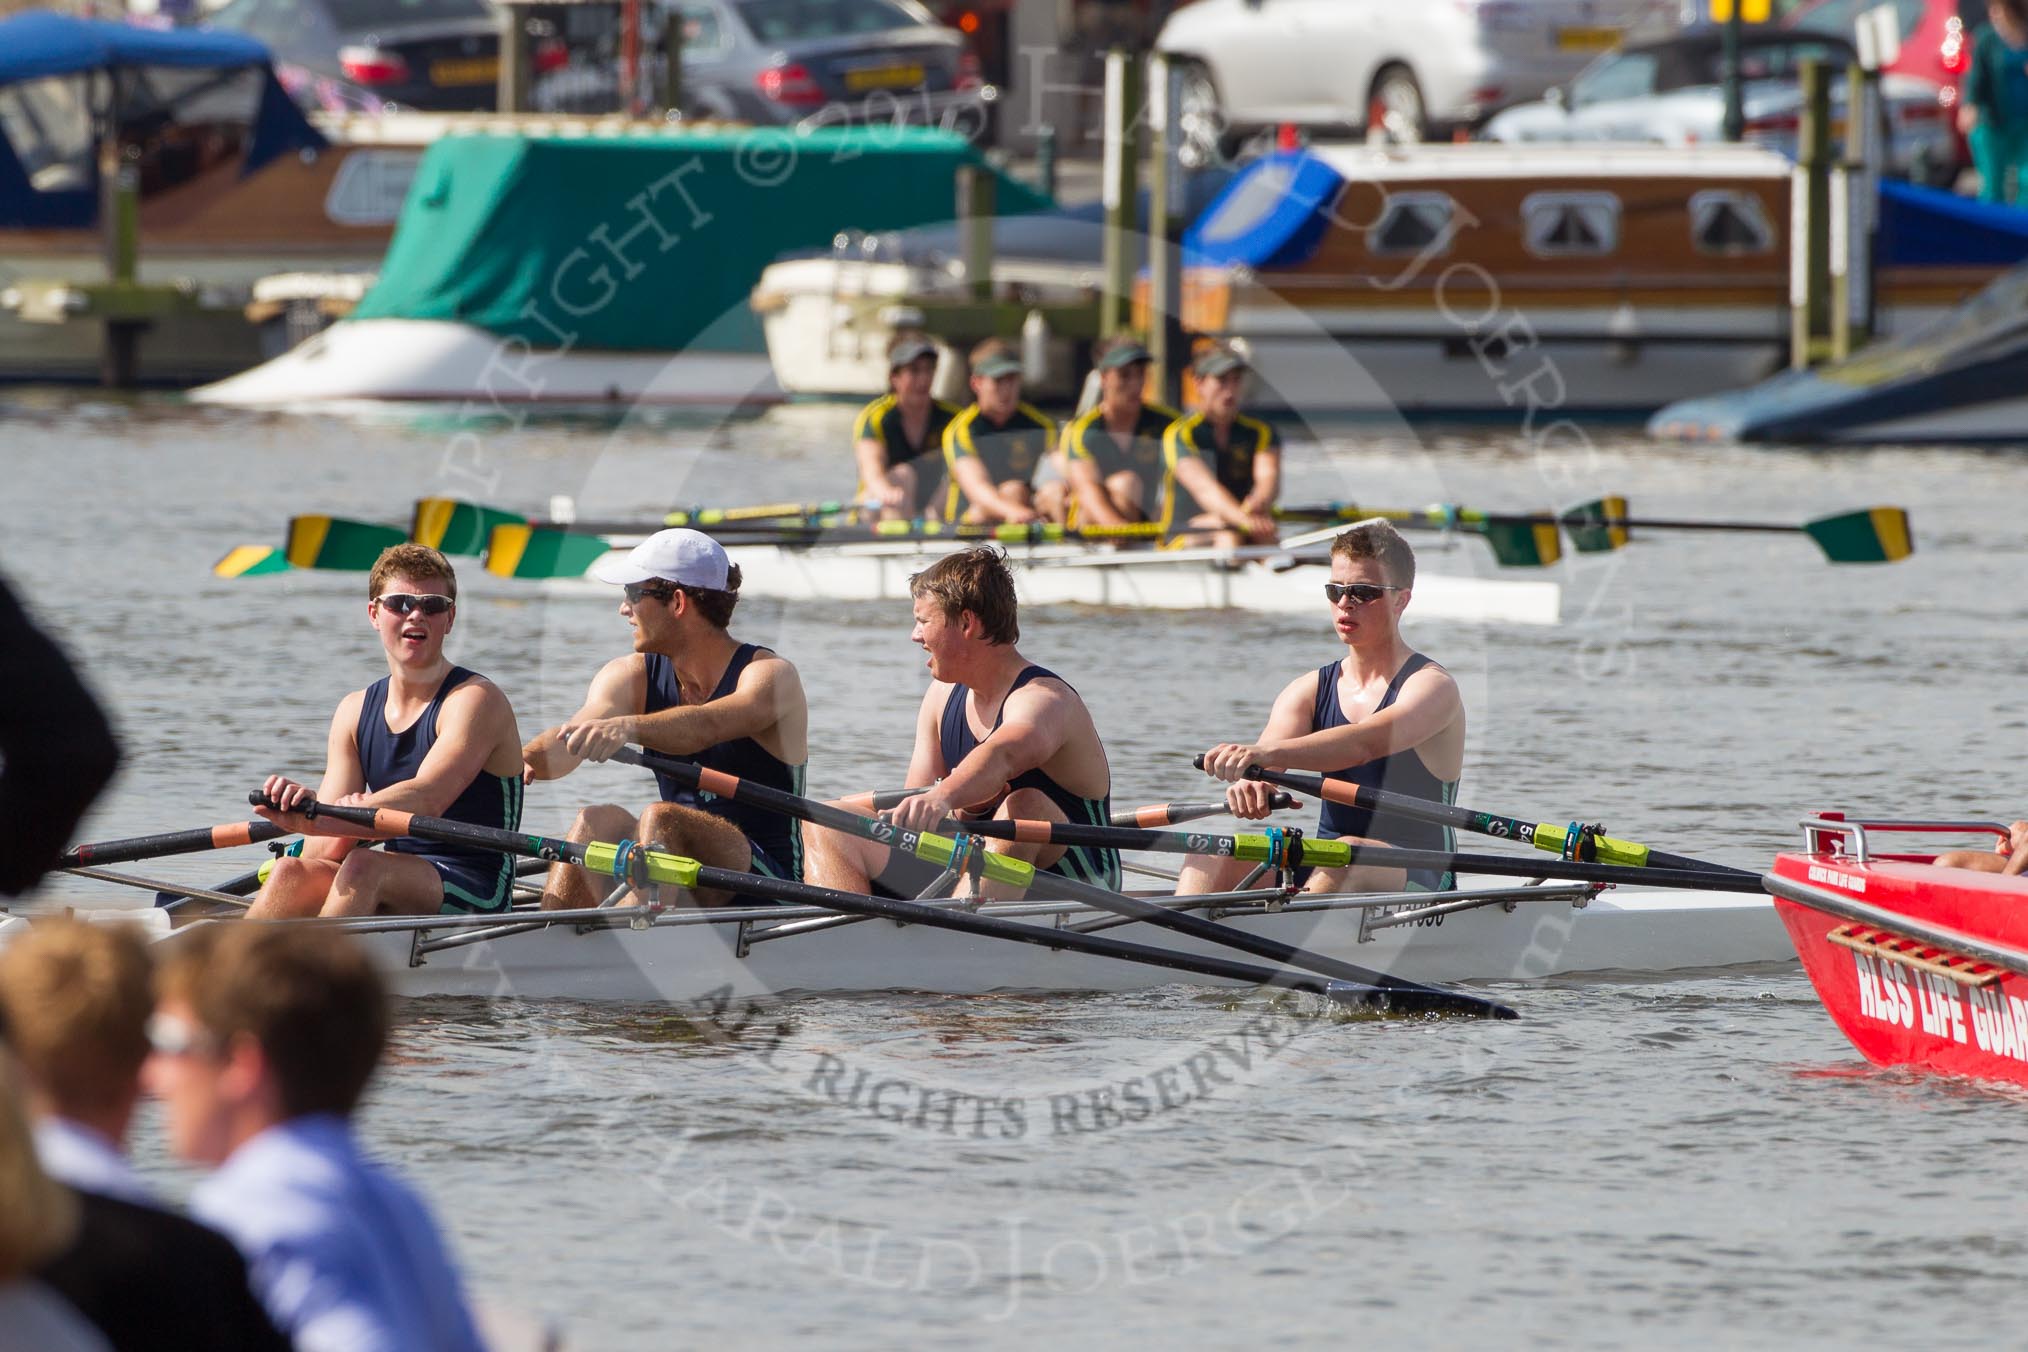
(1674, 94)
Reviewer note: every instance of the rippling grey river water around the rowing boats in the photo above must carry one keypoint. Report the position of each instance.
(1692, 1160)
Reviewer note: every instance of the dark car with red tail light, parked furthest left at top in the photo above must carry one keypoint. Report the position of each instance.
(417, 54)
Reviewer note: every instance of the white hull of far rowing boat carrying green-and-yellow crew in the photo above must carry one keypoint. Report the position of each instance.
(1145, 581)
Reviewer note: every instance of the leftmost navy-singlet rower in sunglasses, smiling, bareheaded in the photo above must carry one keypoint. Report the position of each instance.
(425, 739)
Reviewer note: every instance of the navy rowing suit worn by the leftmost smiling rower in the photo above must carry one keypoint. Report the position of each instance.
(476, 881)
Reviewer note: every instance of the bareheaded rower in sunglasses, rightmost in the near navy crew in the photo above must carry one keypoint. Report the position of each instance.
(1384, 717)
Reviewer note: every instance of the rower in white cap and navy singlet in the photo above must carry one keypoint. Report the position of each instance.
(695, 692)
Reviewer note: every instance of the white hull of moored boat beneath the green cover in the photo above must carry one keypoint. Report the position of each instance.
(435, 362)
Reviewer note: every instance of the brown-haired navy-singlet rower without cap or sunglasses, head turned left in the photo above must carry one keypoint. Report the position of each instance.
(995, 735)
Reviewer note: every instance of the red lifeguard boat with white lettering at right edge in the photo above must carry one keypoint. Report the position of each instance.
(1920, 966)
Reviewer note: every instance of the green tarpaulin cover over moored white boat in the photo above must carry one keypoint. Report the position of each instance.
(650, 244)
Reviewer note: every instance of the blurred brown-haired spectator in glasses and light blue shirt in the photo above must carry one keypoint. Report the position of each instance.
(263, 1045)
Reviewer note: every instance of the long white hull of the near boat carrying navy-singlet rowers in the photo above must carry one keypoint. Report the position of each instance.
(701, 964)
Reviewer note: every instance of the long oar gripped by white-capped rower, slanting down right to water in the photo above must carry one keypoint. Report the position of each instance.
(944, 850)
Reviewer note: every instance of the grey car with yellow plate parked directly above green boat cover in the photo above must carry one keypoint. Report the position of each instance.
(826, 64)
